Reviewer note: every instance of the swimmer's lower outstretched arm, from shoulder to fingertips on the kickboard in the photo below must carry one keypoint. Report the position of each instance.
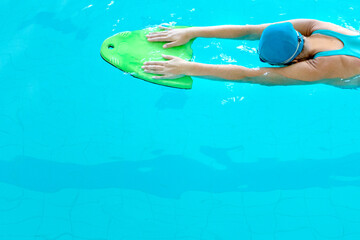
(305, 72)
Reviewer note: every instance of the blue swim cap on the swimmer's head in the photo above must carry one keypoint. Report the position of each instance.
(280, 44)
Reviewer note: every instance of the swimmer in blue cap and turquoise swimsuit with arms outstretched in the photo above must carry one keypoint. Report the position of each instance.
(304, 51)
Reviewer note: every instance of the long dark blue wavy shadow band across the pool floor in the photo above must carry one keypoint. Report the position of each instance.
(172, 175)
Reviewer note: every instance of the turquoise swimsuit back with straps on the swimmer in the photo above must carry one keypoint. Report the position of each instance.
(351, 44)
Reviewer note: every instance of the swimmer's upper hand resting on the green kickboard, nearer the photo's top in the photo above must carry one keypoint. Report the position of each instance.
(174, 37)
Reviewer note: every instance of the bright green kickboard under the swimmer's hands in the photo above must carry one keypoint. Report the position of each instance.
(129, 50)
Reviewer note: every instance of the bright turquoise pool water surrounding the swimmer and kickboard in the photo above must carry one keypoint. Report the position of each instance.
(87, 152)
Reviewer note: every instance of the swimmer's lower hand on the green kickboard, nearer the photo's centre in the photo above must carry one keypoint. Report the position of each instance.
(172, 69)
